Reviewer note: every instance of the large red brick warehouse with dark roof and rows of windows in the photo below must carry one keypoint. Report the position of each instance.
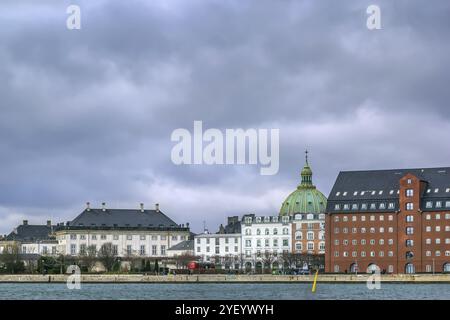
(398, 220)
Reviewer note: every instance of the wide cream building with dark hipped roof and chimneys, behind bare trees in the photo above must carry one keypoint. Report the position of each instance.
(131, 232)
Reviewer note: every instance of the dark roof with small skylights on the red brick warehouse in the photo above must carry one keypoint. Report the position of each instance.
(382, 186)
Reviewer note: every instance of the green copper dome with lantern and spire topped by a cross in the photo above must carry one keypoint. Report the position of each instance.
(306, 199)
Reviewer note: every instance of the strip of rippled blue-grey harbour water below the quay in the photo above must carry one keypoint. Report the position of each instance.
(246, 291)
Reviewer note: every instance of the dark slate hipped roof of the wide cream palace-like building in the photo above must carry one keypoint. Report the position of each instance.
(123, 218)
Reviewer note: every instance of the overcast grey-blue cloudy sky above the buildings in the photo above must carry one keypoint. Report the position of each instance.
(86, 115)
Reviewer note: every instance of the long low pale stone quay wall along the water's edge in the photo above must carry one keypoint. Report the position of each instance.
(137, 278)
